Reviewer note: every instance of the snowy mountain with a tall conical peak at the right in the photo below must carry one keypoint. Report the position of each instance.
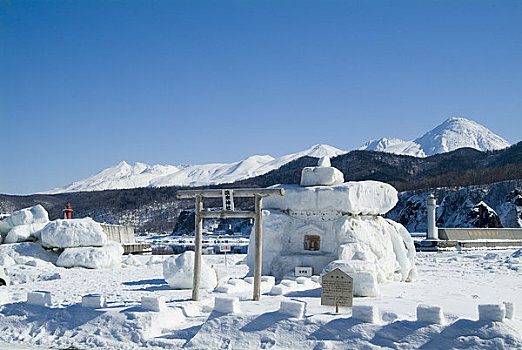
(452, 134)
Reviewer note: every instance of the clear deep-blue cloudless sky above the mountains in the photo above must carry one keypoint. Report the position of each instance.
(87, 84)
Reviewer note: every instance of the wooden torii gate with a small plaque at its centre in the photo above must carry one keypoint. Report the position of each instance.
(228, 212)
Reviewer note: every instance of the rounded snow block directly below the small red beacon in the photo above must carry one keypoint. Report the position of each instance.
(73, 233)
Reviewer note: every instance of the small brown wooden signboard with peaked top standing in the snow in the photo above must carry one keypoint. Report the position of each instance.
(337, 289)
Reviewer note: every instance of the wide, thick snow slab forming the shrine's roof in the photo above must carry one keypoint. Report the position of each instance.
(355, 197)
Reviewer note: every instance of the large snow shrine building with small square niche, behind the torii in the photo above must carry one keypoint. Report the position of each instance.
(326, 223)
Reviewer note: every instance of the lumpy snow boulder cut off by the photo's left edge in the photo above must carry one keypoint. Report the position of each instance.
(24, 224)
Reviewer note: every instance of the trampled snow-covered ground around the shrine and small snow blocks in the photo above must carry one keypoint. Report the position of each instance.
(456, 281)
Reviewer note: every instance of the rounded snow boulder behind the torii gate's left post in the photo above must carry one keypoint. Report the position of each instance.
(178, 271)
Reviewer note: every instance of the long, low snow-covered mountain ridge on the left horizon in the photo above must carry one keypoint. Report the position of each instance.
(124, 175)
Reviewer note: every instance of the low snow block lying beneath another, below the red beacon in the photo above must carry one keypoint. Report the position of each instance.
(106, 257)
